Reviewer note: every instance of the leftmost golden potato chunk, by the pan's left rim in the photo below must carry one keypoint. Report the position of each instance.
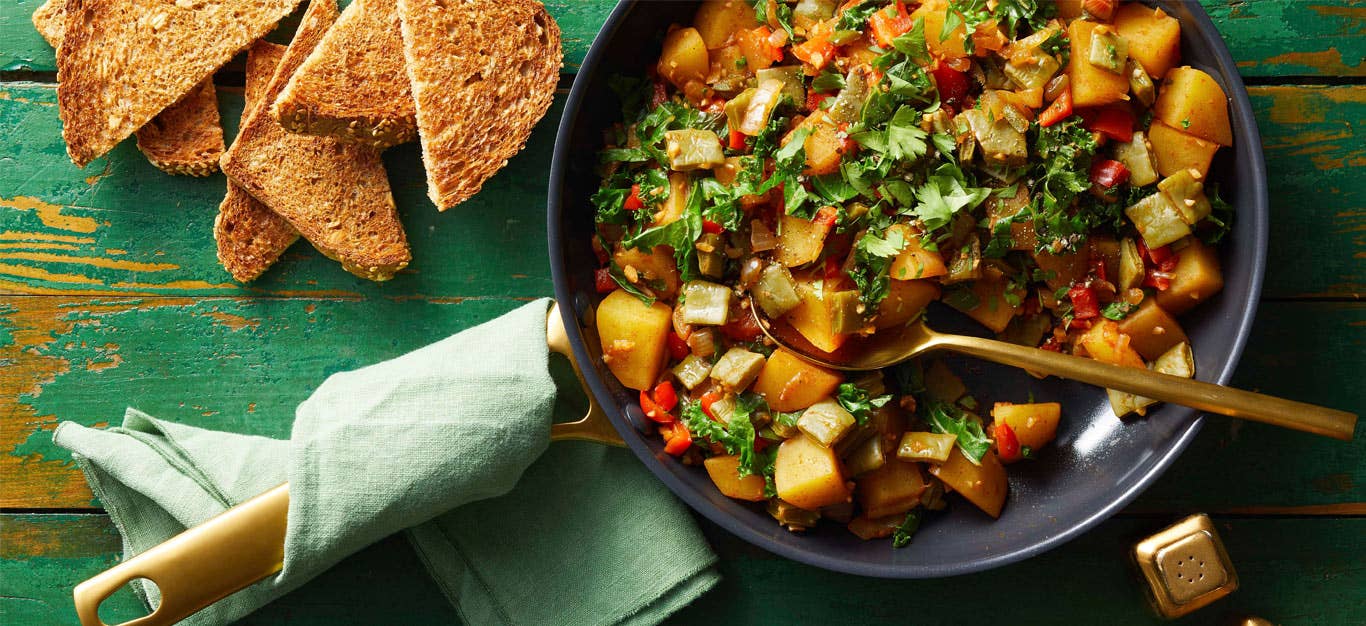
(635, 338)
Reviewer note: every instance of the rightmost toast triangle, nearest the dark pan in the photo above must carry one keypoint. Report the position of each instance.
(483, 73)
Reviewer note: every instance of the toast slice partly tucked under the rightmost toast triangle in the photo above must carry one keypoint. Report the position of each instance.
(354, 85)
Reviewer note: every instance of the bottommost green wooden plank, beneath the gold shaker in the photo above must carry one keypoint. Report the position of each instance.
(1292, 572)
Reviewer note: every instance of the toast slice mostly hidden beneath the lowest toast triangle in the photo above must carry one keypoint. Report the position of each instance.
(249, 236)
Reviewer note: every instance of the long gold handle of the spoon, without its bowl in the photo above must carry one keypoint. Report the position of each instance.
(1196, 394)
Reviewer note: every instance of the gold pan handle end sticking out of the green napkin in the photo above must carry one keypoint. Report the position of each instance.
(200, 567)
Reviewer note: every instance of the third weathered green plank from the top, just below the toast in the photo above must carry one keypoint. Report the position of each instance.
(242, 364)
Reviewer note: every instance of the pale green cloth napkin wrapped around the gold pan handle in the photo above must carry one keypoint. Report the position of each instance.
(451, 442)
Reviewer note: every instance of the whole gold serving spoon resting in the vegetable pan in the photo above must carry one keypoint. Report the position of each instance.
(893, 346)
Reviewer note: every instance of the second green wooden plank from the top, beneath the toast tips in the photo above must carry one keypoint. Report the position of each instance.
(125, 228)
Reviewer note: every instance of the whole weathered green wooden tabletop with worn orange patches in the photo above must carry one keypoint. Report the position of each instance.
(111, 296)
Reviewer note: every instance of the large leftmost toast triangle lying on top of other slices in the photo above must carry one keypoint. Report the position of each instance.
(122, 62)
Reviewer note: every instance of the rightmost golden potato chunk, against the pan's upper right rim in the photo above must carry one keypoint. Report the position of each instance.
(1192, 100)
